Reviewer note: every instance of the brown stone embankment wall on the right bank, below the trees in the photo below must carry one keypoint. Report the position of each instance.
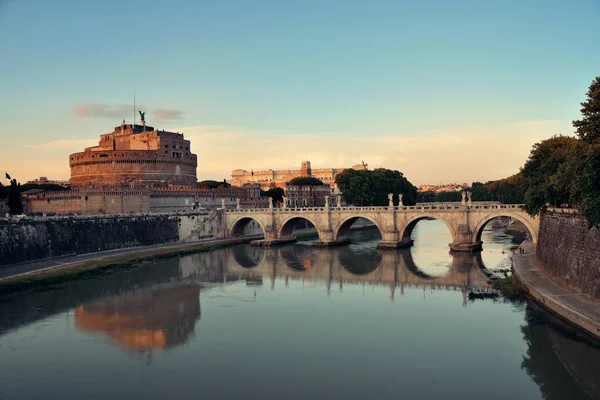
(570, 251)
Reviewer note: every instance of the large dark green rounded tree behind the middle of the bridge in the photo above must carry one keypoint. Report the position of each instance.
(365, 187)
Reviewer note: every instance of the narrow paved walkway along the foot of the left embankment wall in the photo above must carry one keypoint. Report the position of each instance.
(15, 270)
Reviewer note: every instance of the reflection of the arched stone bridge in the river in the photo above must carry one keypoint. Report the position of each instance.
(346, 265)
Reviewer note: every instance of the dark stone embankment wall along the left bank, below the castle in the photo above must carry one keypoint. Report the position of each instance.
(33, 239)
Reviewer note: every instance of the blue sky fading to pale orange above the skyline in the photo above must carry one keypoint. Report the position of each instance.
(443, 91)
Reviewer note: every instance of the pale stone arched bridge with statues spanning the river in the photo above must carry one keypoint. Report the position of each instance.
(395, 223)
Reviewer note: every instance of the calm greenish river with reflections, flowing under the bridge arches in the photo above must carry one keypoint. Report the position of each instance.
(293, 322)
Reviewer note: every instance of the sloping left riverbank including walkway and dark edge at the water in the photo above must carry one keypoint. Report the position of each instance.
(104, 264)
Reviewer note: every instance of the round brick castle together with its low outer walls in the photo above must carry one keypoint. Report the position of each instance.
(137, 168)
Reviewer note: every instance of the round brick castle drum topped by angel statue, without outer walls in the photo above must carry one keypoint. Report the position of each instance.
(135, 157)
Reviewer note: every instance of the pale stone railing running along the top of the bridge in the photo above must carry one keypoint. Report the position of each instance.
(427, 207)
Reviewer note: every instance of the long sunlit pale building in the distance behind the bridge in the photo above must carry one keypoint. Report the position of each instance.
(278, 178)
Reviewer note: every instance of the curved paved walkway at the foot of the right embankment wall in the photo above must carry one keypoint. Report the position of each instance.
(575, 307)
